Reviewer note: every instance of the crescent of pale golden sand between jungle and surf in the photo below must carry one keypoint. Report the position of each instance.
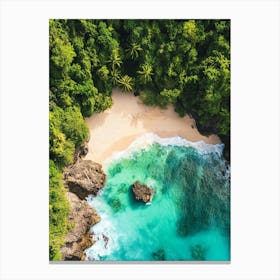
(116, 128)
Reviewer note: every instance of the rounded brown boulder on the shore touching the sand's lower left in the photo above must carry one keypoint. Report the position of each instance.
(85, 177)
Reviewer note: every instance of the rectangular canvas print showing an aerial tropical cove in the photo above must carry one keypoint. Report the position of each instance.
(139, 140)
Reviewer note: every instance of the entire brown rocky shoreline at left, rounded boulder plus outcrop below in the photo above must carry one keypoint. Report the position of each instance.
(81, 179)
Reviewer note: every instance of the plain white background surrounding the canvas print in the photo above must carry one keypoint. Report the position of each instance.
(255, 138)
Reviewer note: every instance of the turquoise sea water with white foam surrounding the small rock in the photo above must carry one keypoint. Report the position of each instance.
(188, 218)
